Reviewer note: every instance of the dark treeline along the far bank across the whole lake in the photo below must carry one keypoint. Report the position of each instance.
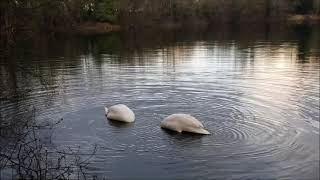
(30, 16)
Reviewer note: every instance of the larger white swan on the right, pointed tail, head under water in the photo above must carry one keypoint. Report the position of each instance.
(183, 122)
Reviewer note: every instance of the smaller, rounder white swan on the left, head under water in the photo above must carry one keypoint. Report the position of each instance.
(120, 112)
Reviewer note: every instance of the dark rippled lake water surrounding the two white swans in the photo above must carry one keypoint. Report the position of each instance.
(257, 94)
